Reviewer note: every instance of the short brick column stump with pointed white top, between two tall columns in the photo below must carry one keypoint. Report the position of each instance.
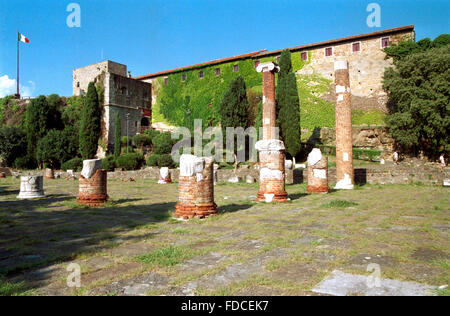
(317, 172)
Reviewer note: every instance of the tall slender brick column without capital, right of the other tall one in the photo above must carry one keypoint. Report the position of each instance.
(344, 142)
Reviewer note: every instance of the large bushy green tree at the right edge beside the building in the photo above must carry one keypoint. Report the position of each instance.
(419, 101)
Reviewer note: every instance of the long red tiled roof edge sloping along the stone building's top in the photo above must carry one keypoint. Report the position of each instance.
(264, 52)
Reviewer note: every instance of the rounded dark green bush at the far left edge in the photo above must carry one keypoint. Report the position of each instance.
(13, 144)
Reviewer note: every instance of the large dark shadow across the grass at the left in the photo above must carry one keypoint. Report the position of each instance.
(30, 244)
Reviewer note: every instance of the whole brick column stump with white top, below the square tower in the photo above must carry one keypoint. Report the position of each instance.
(92, 185)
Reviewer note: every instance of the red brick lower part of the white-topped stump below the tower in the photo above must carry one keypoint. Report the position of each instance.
(93, 191)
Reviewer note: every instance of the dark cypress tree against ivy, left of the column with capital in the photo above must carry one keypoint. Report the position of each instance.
(234, 109)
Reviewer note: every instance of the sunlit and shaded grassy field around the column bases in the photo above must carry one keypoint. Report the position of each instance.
(133, 246)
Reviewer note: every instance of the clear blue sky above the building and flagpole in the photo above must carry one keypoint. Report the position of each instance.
(155, 35)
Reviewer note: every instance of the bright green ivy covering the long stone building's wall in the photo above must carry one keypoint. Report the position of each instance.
(180, 102)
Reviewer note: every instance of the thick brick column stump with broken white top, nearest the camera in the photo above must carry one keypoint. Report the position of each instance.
(195, 188)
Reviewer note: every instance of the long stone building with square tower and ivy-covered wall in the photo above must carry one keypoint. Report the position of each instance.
(145, 98)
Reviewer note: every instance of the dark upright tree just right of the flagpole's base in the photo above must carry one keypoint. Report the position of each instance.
(38, 121)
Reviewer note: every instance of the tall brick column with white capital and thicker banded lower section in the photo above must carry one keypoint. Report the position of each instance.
(271, 150)
